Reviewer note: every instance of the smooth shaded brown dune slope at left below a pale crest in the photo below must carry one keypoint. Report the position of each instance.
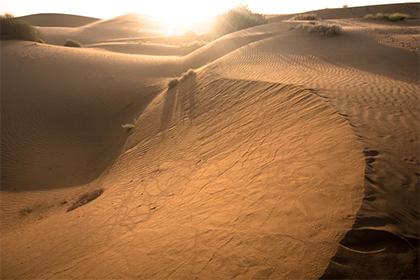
(62, 111)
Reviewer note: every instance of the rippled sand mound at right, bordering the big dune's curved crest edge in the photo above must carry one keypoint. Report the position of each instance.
(369, 91)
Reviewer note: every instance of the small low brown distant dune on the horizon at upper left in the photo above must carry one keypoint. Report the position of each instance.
(57, 20)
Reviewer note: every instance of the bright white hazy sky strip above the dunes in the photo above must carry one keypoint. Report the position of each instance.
(110, 8)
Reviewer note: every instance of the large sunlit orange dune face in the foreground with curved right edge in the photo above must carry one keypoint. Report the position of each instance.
(221, 177)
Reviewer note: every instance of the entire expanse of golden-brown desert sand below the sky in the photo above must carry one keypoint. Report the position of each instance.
(282, 155)
